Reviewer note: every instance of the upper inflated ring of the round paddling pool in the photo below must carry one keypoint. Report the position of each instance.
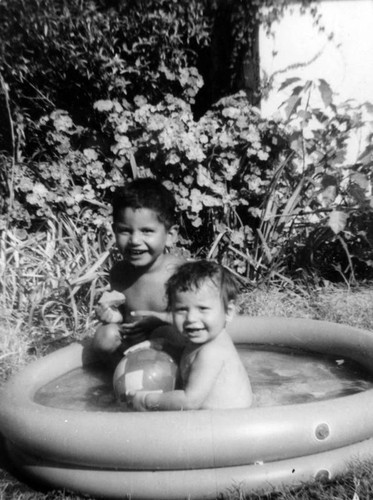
(195, 439)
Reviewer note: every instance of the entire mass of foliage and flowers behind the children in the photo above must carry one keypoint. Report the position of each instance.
(266, 197)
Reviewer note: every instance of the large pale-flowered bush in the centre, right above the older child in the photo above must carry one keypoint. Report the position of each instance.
(216, 166)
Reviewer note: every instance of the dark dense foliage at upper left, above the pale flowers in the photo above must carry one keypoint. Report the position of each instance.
(57, 54)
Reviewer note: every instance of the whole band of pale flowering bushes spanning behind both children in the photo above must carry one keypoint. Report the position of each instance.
(263, 196)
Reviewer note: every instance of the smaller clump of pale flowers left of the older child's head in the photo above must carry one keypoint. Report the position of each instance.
(68, 180)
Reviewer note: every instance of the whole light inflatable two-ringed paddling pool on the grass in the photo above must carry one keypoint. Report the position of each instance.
(192, 454)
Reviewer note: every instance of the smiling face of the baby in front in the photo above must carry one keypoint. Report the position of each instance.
(199, 314)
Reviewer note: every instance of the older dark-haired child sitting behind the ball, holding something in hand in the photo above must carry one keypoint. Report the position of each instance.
(145, 228)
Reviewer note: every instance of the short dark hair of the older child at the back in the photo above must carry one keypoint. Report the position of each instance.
(146, 193)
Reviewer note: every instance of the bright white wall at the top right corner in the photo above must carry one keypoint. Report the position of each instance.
(299, 49)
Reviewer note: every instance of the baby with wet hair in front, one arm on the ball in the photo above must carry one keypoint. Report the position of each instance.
(201, 296)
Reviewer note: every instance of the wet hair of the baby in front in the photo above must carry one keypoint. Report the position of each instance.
(192, 275)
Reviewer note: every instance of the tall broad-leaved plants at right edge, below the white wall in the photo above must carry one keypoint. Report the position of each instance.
(338, 244)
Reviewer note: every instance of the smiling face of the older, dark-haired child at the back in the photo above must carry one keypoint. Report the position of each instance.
(141, 237)
